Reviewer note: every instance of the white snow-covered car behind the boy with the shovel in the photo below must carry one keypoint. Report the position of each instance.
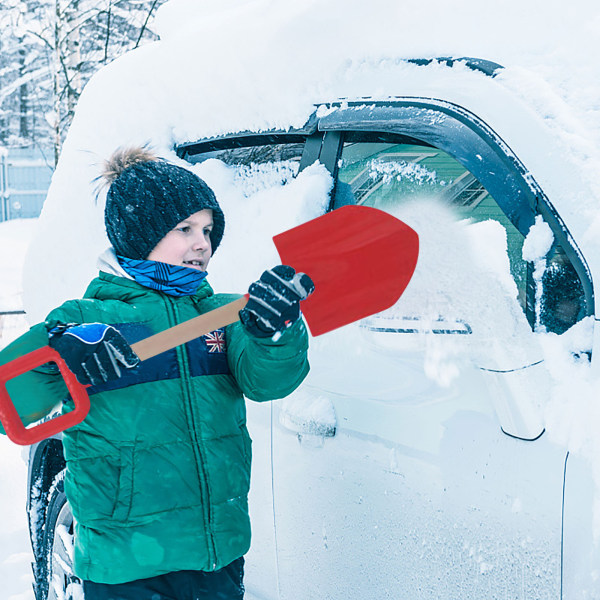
(415, 460)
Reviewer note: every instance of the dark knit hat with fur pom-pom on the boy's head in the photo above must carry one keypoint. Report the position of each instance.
(148, 197)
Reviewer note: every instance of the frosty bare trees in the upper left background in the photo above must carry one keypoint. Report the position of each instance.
(49, 49)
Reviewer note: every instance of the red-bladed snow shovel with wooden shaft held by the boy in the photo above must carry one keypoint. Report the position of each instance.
(361, 259)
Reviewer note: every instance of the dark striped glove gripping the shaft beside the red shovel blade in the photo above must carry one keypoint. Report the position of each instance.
(274, 302)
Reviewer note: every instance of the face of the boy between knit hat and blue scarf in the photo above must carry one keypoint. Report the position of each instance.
(188, 244)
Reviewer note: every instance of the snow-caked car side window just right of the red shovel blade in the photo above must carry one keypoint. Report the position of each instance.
(470, 269)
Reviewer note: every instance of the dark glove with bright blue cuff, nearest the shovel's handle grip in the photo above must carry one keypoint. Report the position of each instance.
(93, 351)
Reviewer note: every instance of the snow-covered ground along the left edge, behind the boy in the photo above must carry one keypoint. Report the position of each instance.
(15, 551)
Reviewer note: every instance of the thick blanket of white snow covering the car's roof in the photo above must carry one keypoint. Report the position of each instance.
(262, 64)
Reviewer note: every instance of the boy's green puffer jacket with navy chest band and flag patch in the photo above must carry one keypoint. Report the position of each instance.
(158, 473)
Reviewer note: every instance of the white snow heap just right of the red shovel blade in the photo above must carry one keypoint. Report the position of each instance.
(463, 276)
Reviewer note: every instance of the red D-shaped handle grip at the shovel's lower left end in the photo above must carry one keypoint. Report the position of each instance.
(11, 421)
